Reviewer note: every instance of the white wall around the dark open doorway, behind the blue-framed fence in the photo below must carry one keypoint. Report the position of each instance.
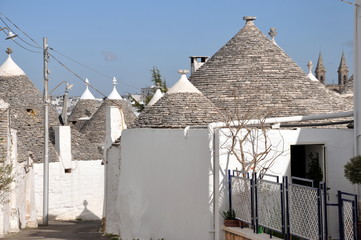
(339, 149)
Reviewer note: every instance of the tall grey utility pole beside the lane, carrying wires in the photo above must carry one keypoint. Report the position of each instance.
(46, 135)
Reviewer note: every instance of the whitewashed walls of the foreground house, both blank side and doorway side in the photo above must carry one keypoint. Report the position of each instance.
(165, 187)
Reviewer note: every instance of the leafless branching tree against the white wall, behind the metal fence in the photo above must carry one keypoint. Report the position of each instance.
(250, 141)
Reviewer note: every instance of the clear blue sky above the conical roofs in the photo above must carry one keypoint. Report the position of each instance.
(127, 38)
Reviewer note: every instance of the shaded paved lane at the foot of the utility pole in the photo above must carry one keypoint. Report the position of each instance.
(61, 230)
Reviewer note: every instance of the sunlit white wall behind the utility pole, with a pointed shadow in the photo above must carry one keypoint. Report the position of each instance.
(75, 195)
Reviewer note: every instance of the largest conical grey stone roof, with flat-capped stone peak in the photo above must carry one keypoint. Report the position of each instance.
(252, 74)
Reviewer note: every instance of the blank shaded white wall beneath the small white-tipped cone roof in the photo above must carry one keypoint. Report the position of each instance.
(163, 186)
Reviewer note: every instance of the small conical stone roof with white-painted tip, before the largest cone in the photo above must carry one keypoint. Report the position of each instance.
(183, 105)
